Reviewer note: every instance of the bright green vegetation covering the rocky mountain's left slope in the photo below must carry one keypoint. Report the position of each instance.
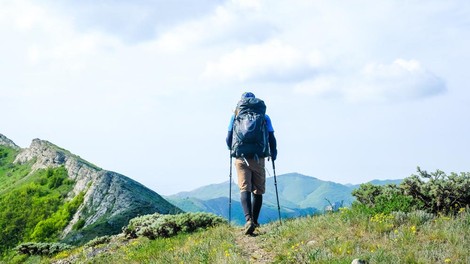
(32, 205)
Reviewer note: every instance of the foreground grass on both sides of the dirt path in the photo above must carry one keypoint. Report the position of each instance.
(414, 237)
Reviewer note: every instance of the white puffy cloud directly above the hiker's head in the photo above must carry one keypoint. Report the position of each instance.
(269, 61)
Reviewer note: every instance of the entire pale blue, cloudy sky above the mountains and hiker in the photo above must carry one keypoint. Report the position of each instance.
(356, 90)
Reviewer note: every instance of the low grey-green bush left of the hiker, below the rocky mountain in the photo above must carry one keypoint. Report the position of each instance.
(158, 225)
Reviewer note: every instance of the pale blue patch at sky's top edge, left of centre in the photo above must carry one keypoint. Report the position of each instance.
(133, 22)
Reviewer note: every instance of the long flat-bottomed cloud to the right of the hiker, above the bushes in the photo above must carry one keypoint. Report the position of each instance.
(401, 80)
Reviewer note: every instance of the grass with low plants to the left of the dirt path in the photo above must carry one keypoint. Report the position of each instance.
(215, 245)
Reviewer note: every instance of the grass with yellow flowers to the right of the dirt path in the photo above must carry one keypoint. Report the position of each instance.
(342, 237)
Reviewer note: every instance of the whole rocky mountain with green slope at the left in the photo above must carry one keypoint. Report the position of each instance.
(50, 194)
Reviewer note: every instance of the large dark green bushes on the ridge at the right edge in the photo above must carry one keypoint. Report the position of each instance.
(430, 192)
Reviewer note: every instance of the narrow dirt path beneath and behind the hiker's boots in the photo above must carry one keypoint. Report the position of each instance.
(252, 247)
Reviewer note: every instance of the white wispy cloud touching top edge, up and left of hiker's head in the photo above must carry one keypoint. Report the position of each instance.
(235, 22)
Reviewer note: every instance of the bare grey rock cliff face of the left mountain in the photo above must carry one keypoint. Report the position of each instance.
(110, 199)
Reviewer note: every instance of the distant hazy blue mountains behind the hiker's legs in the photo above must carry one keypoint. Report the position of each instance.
(299, 195)
